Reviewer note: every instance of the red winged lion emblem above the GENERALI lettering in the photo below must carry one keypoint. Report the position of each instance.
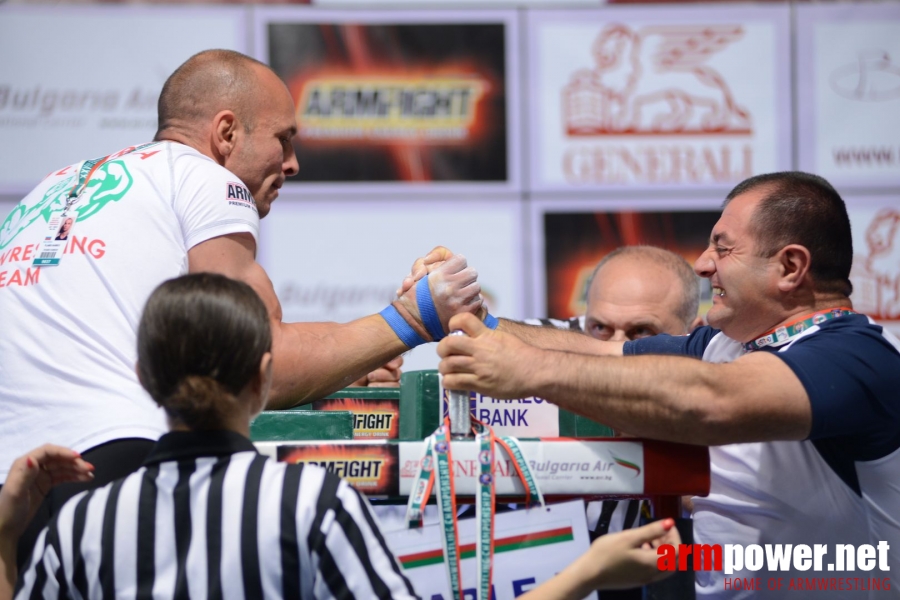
(654, 81)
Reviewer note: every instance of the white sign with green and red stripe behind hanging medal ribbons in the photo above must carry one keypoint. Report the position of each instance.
(546, 539)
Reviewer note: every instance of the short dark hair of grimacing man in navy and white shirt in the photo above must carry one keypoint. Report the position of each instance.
(800, 208)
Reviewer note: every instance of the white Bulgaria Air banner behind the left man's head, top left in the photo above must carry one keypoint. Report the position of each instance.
(80, 83)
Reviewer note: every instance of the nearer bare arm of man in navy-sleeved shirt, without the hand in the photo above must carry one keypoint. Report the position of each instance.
(672, 398)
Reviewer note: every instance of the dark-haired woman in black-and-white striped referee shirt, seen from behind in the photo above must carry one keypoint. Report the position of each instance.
(207, 516)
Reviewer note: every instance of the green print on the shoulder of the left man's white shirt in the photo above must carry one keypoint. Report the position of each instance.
(109, 183)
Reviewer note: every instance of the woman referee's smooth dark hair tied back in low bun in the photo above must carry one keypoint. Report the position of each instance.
(201, 340)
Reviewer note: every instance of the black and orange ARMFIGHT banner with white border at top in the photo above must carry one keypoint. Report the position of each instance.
(391, 97)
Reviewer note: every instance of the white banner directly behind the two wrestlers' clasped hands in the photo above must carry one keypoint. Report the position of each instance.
(341, 259)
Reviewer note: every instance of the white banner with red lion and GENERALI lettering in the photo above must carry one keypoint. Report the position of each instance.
(656, 97)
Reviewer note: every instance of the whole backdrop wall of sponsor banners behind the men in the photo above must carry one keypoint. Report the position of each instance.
(615, 111)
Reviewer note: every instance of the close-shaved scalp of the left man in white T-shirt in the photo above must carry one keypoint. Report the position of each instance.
(207, 83)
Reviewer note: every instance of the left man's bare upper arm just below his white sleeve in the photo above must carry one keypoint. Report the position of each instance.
(235, 256)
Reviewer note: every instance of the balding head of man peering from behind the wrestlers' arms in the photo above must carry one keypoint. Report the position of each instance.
(637, 291)
